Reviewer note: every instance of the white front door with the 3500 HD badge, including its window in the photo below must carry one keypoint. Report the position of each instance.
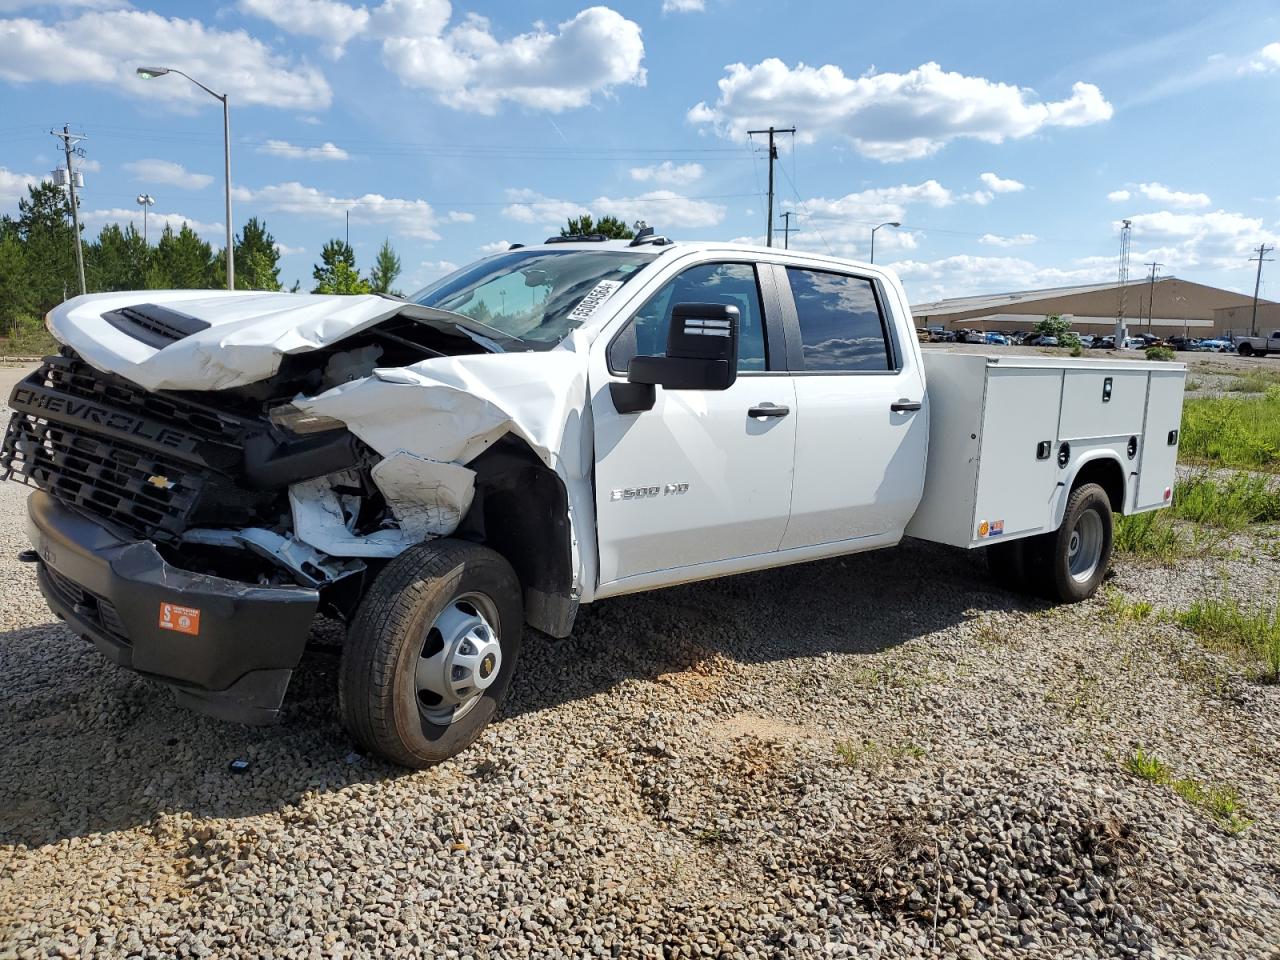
(698, 478)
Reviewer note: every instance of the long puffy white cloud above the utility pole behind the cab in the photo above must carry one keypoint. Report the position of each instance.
(889, 116)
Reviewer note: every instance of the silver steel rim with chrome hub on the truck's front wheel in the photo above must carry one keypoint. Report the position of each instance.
(460, 659)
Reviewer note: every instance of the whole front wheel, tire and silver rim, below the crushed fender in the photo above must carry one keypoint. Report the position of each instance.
(431, 652)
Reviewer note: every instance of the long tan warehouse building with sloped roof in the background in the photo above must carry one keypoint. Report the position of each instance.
(1169, 308)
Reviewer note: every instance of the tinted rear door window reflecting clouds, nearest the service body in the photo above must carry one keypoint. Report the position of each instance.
(840, 322)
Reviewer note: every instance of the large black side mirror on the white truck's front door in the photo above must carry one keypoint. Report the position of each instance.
(702, 351)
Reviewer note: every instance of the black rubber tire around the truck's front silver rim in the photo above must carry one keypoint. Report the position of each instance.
(378, 696)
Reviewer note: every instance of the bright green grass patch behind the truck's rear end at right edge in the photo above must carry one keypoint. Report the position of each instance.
(1233, 432)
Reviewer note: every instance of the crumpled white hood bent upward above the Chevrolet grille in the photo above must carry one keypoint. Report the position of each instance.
(249, 333)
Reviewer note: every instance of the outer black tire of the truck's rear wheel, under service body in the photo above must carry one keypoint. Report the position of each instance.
(1049, 557)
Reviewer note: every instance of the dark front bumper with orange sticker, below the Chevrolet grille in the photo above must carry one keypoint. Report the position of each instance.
(226, 648)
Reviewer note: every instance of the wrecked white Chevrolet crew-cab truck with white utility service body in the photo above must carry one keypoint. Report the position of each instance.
(550, 427)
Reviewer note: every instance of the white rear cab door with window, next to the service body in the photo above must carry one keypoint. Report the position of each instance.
(862, 432)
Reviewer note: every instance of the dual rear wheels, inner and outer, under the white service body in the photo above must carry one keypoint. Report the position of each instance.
(1067, 565)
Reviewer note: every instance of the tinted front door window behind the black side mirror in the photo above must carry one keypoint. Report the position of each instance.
(710, 284)
